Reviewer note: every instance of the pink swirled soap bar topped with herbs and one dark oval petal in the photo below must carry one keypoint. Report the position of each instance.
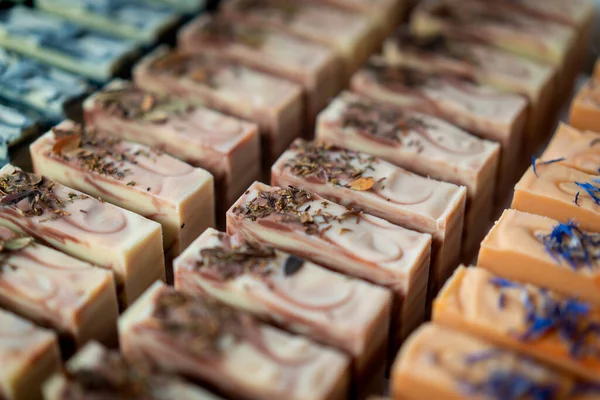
(294, 293)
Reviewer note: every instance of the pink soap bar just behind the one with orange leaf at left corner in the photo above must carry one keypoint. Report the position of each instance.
(227, 147)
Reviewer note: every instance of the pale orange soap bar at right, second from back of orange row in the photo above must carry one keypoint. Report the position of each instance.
(575, 149)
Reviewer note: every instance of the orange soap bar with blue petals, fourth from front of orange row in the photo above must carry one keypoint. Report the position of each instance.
(561, 193)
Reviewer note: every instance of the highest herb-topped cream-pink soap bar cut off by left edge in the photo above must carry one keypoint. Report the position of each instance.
(84, 227)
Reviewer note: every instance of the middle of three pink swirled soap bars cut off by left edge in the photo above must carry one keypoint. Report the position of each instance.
(72, 297)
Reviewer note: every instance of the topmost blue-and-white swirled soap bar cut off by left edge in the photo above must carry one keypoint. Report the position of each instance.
(63, 44)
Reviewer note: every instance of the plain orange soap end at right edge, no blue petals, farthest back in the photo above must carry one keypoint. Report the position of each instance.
(585, 108)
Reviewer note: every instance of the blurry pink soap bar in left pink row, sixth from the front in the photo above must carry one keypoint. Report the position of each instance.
(274, 104)
